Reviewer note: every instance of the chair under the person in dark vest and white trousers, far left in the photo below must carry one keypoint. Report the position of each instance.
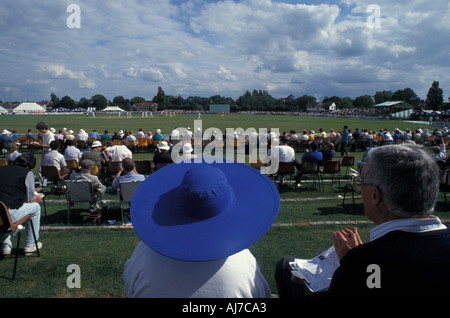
(8, 226)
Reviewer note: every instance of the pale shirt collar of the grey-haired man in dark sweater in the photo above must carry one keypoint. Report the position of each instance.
(416, 225)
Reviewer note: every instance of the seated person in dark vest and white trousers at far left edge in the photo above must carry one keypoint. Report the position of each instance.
(17, 192)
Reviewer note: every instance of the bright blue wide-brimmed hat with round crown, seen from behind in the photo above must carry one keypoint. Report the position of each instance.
(204, 211)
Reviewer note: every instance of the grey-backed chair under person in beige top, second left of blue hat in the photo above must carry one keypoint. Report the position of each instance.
(80, 191)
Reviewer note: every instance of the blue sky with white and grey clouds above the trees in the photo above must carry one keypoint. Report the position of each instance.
(205, 48)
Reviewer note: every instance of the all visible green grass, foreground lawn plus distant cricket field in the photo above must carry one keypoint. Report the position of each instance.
(303, 227)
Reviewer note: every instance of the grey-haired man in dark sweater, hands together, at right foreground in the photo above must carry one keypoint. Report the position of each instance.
(409, 246)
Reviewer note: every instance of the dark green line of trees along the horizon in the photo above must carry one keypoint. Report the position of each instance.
(259, 100)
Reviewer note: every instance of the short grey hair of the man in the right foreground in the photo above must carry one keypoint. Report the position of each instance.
(407, 177)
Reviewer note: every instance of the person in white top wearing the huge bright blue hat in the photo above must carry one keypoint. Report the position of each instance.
(196, 227)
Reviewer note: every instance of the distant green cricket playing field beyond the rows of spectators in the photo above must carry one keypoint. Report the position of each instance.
(114, 123)
